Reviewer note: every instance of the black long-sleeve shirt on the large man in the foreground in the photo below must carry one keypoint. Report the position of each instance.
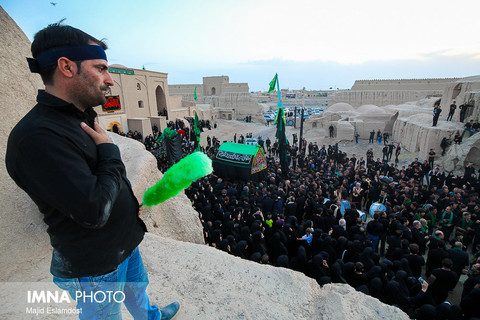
(81, 188)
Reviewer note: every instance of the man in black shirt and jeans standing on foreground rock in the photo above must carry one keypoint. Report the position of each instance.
(71, 169)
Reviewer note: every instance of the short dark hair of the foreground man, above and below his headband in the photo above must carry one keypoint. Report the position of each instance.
(57, 35)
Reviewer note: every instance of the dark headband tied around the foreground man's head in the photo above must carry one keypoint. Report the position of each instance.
(74, 53)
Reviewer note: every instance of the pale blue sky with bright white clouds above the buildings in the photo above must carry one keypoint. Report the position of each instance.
(310, 43)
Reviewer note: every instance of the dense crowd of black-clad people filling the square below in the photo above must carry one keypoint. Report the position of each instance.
(411, 254)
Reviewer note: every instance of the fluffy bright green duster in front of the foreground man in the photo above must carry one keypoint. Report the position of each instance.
(178, 177)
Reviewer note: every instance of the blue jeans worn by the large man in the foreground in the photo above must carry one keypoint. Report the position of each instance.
(101, 297)
